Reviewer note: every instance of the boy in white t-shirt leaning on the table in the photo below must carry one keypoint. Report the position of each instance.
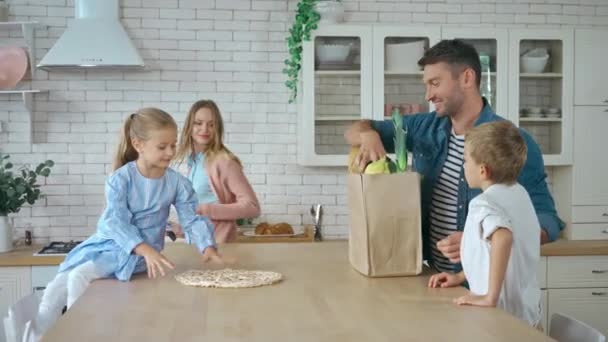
(500, 248)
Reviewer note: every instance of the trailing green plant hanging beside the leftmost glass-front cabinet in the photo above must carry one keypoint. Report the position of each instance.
(304, 23)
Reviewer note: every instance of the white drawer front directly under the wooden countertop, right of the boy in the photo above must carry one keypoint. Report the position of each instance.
(577, 271)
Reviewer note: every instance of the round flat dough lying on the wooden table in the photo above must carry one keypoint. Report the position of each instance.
(228, 278)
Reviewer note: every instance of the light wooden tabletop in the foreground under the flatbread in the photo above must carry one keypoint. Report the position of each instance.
(321, 299)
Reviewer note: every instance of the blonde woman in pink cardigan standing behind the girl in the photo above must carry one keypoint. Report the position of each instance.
(223, 191)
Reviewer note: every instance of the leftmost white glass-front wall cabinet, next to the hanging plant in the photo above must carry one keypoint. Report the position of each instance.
(336, 90)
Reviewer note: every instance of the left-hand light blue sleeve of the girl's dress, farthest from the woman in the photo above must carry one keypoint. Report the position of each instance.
(115, 223)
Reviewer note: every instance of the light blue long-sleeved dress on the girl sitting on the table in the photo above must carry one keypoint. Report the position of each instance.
(137, 209)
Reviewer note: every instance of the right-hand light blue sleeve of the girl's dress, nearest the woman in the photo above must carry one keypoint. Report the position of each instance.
(198, 229)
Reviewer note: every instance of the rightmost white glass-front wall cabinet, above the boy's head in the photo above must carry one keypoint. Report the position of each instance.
(534, 96)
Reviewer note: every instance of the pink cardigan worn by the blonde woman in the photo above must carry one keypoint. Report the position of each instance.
(235, 196)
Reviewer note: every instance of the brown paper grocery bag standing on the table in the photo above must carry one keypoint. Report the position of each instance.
(385, 224)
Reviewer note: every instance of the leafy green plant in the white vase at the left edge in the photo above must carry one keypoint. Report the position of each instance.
(16, 189)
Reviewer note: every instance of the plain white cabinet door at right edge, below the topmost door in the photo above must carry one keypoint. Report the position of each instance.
(590, 158)
